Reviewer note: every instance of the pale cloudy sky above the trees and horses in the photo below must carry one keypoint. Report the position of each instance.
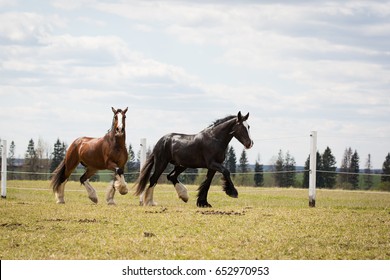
(296, 66)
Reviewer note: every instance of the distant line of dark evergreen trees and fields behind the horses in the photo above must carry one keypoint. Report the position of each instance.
(39, 163)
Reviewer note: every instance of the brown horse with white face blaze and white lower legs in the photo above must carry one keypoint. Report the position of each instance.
(108, 152)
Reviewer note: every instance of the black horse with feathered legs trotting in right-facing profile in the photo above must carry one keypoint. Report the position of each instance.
(206, 149)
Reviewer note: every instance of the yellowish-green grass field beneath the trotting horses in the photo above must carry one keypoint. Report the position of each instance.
(263, 223)
